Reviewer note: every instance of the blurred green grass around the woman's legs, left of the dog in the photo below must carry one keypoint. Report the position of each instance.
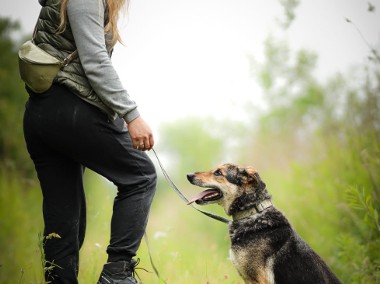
(186, 247)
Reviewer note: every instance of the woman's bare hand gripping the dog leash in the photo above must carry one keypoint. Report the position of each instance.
(141, 134)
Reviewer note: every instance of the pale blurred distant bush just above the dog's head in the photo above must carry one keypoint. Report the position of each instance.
(204, 135)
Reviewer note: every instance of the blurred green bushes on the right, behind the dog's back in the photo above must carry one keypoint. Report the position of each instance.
(331, 135)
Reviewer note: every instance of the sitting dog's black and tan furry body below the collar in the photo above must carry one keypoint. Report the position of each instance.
(265, 249)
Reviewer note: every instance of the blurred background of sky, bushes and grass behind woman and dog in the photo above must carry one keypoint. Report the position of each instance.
(291, 87)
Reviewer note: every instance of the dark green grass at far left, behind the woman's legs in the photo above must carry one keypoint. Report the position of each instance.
(20, 224)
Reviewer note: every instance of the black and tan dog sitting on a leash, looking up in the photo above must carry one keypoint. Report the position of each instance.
(264, 247)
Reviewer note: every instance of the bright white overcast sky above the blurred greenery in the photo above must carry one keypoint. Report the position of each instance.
(190, 58)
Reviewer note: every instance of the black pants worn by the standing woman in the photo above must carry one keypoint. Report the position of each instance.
(65, 134)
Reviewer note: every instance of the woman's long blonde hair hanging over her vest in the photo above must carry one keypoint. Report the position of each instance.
(113, 9)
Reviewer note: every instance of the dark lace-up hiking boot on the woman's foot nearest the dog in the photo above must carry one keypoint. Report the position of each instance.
(120, 272)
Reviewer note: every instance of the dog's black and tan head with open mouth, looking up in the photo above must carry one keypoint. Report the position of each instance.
(232, 187)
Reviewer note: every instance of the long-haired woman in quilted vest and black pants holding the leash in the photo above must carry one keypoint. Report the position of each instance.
(87, 119)
